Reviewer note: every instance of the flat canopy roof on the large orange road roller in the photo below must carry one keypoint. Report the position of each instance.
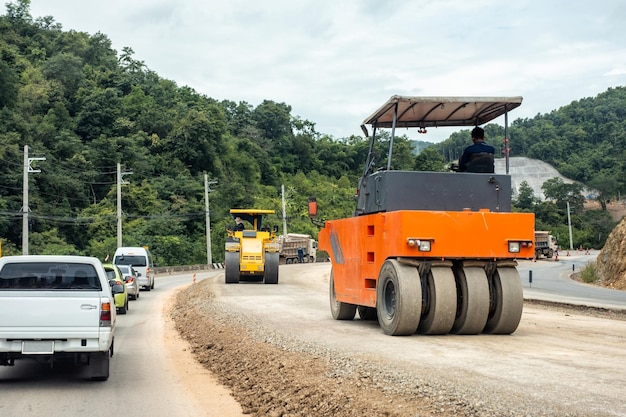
(423, 112)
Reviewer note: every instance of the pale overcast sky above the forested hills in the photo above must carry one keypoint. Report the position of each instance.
(335, 62)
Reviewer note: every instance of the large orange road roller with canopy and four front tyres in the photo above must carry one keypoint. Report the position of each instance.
(430, 252)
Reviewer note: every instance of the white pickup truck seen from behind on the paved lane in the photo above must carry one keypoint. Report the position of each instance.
(57, 308)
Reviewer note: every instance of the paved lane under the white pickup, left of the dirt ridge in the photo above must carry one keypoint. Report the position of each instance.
(143, 377)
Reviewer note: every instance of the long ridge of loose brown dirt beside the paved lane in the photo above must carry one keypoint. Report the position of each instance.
(269, 381)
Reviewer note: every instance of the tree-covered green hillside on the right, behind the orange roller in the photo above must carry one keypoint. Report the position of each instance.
(586, 142)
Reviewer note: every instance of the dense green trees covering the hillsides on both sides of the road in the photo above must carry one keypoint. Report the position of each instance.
(88, 109)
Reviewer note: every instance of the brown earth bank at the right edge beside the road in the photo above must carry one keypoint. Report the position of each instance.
(611, 261)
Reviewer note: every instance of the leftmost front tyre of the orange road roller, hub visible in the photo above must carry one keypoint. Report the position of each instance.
(398, 298)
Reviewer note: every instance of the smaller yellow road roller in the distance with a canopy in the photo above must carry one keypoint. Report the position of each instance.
(251, 253)
